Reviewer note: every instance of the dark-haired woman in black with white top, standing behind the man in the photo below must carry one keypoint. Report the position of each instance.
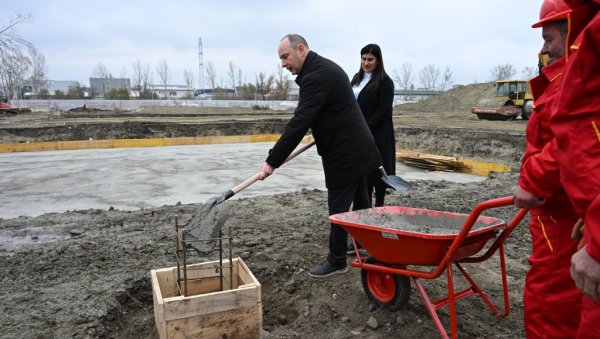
(374, 91)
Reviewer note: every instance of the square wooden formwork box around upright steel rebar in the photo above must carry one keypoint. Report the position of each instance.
(207, 311)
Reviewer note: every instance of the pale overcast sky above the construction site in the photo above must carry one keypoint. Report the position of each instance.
(468, 36)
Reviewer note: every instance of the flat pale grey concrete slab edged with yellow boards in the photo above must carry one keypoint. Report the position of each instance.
(34, 183)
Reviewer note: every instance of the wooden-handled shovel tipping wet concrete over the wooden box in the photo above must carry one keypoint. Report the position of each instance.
(206, 223)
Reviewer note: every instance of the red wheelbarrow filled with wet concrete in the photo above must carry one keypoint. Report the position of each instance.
(397, 237)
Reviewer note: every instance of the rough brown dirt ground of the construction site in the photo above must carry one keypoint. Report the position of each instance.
(85, 274)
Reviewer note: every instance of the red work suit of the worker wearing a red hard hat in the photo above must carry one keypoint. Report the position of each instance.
(551, 299)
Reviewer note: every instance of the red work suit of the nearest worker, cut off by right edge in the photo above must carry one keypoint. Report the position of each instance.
(576, 125)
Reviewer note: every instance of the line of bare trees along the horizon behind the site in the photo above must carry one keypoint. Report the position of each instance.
(23, 69)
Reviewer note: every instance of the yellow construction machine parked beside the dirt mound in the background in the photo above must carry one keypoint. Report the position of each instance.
(513, 97)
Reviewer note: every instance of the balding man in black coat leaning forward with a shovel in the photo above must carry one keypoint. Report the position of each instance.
(327, 106)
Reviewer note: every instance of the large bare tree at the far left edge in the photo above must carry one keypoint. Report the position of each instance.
(14, 61)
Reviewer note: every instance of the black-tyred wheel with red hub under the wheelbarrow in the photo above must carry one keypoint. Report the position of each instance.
(386, 290)
